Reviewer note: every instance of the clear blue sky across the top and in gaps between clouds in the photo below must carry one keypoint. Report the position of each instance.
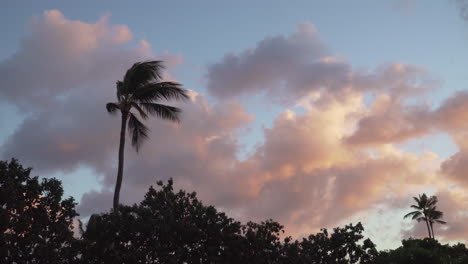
(368, 32)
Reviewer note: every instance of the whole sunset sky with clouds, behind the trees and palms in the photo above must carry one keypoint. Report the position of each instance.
(312, 113)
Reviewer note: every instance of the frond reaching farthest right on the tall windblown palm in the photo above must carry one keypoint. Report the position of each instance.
(152, 92)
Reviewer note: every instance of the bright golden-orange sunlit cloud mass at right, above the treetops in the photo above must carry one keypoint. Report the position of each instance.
(307, 177)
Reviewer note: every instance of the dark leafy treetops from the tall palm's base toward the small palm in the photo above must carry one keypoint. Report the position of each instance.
(175, 227)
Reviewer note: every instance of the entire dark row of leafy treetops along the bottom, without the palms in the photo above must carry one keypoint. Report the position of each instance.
(170, 226)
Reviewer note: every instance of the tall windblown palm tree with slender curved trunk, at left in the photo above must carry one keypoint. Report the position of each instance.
(142, 90)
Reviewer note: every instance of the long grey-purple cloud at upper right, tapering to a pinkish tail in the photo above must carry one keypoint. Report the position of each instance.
(289, 68)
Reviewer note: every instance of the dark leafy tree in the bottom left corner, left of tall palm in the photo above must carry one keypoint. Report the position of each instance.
(35, 223)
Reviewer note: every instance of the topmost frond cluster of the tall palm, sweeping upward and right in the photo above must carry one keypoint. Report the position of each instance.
(142, 73)
